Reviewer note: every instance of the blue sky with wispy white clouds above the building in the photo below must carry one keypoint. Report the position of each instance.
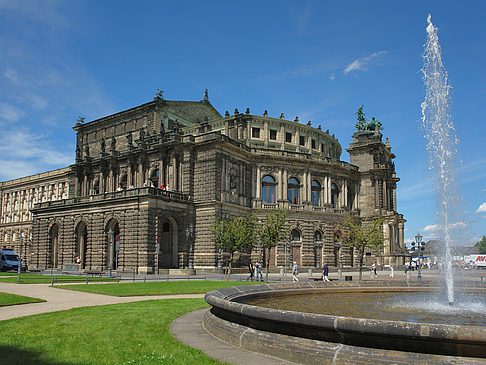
(319, 60)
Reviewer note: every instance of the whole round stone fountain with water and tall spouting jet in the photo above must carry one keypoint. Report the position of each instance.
(353, 331)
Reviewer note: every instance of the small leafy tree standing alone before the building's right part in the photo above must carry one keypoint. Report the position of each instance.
(360, 236)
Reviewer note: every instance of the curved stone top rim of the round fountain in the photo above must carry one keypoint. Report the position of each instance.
(228, 299)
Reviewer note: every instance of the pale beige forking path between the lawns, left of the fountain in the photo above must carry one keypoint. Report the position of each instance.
(61, 299)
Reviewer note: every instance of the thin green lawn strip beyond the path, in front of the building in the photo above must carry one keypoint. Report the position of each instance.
(154, 288)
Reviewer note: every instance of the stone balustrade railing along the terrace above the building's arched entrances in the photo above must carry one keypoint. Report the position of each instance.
(126, 193)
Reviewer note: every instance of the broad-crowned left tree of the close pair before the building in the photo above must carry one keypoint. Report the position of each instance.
(233, 235)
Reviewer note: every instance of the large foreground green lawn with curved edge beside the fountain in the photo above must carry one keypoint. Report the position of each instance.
(131, 333)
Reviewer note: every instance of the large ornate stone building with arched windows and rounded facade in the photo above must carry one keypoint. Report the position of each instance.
(109, 208)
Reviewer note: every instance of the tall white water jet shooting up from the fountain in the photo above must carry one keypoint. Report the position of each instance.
(441, 145)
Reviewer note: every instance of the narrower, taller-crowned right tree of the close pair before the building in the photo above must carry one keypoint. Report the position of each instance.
(271, 232)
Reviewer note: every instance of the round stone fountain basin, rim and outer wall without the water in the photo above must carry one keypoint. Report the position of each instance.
(312, 338)
